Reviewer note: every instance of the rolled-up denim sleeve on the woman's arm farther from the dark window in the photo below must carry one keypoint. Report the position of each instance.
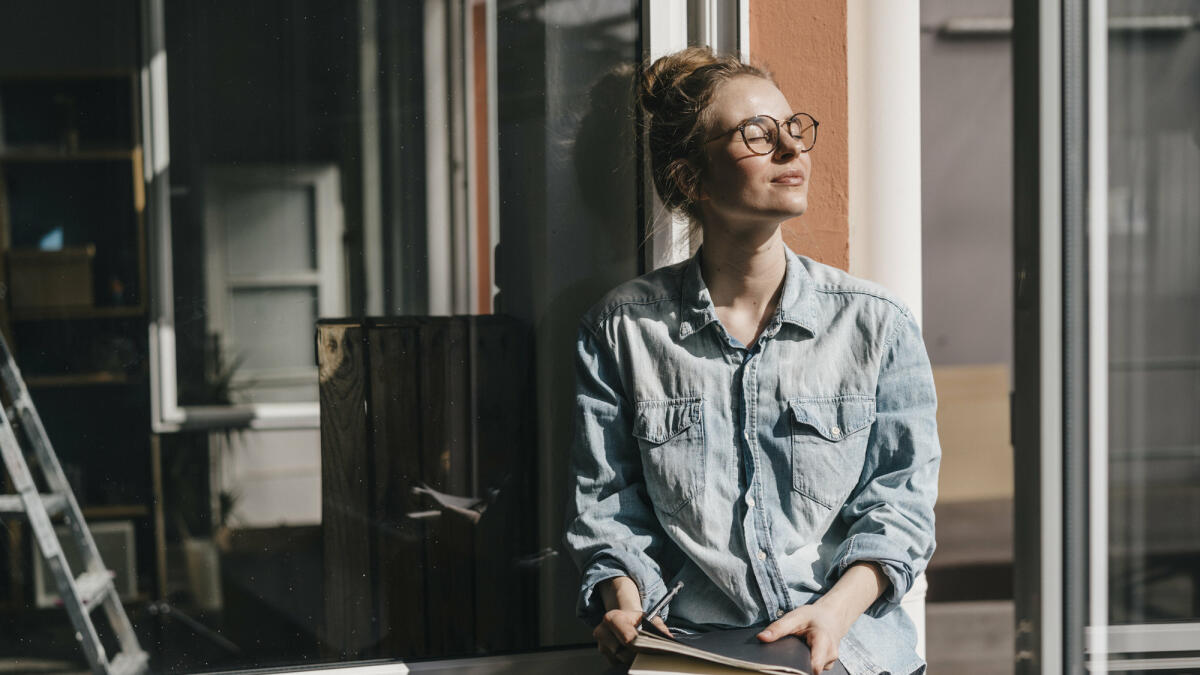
(891, 512)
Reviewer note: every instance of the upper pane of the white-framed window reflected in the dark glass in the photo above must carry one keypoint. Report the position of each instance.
(268, 230)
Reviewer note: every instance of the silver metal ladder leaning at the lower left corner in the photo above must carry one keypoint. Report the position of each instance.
(92, 589)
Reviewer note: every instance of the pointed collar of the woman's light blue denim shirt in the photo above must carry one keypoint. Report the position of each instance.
(796, 306)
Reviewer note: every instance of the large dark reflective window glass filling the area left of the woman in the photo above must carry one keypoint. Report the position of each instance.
(358, 141)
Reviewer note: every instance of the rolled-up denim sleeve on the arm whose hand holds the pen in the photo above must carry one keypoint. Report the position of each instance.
(611, 529)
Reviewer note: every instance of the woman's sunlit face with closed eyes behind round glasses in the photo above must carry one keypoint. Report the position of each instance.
(740, 188)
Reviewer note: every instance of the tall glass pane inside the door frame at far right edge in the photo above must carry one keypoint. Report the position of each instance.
(1154, 313)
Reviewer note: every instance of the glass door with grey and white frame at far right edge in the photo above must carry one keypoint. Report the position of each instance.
(1107, 330)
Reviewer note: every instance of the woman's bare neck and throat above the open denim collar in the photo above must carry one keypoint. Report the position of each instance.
(745, 272)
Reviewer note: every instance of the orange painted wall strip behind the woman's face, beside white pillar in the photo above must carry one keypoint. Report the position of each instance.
(803, 44)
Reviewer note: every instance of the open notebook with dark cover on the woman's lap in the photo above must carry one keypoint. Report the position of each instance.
(737, 649)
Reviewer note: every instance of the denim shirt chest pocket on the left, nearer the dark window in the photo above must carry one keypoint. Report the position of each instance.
(671, 437)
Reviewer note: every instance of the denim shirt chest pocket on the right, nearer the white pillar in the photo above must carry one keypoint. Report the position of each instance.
(830, 439)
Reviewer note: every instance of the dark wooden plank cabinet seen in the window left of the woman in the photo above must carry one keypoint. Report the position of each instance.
(445, 404)
